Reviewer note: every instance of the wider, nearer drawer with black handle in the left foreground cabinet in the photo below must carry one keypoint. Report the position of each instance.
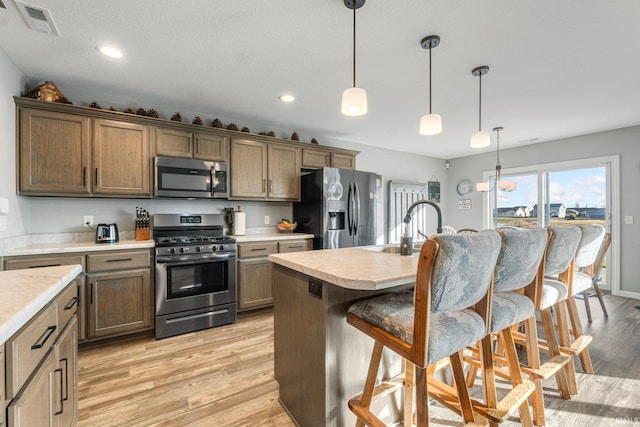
(27, 348)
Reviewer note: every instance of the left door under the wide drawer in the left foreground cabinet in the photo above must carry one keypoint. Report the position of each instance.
(40, 399)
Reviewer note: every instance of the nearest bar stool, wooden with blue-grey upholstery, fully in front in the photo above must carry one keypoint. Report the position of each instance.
(434, 321)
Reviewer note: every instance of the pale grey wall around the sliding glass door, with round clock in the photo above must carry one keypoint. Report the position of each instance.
(625, 142)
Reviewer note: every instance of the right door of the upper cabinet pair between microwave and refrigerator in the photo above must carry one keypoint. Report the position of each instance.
(284, 172)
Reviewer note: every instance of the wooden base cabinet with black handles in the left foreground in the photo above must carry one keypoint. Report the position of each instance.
(41, 367)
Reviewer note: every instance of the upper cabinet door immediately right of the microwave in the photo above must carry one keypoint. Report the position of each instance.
(248, 169)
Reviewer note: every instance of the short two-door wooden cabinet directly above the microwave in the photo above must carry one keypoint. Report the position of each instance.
(197, 145)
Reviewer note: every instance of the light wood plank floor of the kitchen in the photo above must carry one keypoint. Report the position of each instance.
(224, 377)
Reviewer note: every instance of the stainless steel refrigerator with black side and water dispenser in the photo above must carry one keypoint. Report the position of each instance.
(338, 206)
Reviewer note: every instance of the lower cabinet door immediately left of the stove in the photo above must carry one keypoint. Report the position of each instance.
(118, 303)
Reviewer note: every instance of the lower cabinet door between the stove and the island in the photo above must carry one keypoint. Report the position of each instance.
(254, 283)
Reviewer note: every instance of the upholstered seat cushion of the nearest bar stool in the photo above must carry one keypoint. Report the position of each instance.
(449, 332)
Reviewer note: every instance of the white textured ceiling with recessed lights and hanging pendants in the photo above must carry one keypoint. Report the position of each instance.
(557, 68)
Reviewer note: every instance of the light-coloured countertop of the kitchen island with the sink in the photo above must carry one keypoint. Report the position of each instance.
(352, 268)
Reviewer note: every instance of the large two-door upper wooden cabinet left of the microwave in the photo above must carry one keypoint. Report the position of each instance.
(67, 154)
